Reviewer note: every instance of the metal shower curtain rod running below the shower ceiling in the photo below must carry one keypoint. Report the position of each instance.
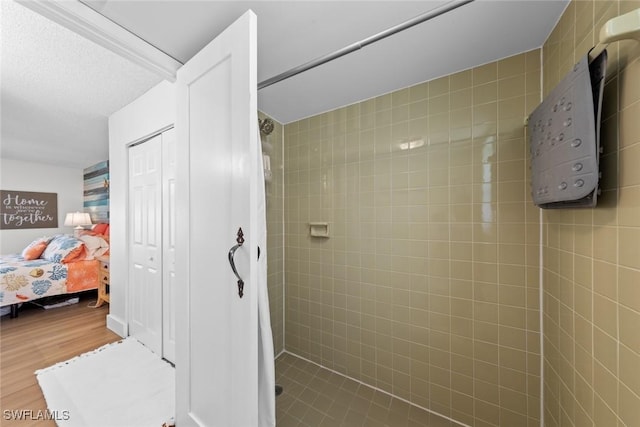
(362, 43)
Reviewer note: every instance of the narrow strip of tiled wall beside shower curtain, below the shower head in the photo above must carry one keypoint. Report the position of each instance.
(272, 146)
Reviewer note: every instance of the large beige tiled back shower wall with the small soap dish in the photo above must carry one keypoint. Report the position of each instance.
(428, 285)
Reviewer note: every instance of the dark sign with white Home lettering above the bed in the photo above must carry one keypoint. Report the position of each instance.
(28, 209)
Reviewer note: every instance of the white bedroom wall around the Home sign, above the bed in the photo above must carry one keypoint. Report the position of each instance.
(27, 176)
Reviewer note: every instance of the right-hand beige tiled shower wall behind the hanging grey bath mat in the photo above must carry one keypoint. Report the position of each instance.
(592, 256)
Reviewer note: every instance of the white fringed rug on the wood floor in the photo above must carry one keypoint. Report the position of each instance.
(122, 384)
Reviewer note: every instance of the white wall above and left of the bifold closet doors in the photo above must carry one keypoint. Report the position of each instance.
(153, 111)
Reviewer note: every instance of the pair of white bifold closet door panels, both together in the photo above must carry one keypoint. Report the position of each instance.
(152, 243)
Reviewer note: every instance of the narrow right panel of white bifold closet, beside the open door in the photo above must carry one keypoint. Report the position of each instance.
(169, 283)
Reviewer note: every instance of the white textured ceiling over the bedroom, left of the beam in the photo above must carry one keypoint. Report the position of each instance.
(58, 90)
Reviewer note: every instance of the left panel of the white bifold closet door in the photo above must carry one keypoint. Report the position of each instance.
(145, 242)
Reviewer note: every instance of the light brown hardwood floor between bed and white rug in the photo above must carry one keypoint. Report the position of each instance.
(39, 338)
